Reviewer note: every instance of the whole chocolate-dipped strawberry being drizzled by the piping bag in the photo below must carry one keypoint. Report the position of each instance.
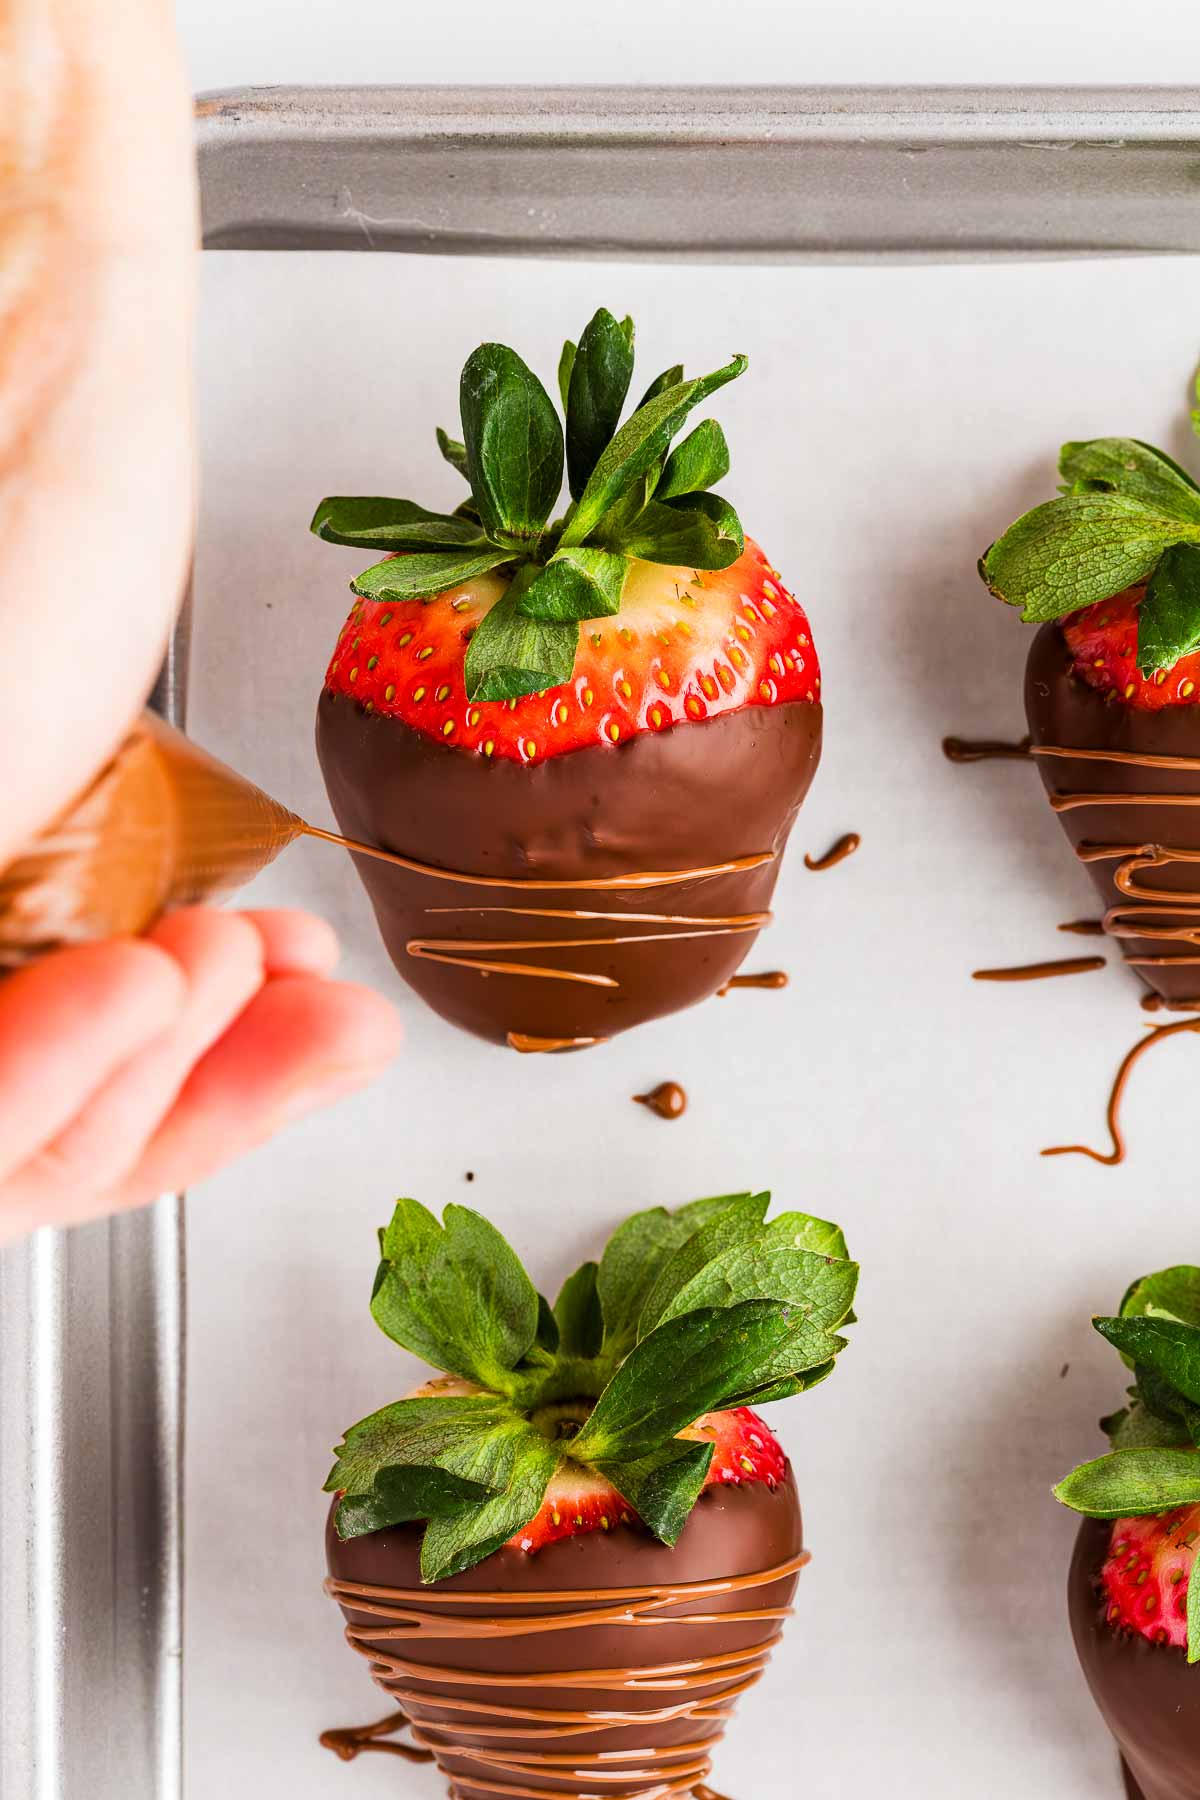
(586, 737)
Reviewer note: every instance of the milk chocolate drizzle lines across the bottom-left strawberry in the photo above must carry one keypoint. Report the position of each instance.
(703, 1687)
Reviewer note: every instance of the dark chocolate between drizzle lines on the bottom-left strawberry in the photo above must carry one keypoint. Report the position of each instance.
(733, 1531)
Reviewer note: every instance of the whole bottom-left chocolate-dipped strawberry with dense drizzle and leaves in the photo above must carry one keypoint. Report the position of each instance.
(569, 1556)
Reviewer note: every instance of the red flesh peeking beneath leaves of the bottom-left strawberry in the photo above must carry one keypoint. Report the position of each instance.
(580, 1500)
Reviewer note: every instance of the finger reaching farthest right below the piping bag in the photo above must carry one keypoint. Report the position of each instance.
(298, 1047)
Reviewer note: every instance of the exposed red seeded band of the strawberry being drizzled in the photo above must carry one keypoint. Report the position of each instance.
(686, 645)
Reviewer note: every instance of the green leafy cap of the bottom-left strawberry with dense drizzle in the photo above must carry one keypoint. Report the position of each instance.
(688, 1311)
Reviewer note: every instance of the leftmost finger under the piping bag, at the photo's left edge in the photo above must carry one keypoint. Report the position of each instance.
(67, 1025)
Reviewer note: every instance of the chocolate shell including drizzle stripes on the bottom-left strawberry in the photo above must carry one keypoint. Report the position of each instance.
(605, 1662)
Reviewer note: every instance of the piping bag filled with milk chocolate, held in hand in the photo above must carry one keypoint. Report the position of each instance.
(163, 825)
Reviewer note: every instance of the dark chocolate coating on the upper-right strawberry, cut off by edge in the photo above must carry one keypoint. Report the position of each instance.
(1066, 712)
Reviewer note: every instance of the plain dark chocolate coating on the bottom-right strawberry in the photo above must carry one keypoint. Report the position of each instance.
(1147, 1693)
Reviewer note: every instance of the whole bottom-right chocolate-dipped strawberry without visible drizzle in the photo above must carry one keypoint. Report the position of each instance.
(1134, 1594)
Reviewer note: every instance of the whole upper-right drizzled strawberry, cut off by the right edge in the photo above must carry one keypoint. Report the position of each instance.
(1111, 571)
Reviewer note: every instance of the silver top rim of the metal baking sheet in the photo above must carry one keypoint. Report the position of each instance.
(704, 172)
